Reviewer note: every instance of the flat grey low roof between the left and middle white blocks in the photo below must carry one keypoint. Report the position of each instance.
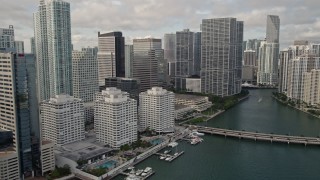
(85, 149)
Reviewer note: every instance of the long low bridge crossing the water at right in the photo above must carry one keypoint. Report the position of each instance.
(258, 136)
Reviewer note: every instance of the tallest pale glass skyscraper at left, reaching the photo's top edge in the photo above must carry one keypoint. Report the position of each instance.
(53, 48)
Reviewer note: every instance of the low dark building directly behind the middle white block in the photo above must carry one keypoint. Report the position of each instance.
(129, 85)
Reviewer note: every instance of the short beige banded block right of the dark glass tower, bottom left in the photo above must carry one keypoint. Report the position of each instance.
(47, 157)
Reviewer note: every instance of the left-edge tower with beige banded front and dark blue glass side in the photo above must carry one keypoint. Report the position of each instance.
(14, 103)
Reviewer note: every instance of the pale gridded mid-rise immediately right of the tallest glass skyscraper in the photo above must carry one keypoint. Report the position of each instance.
(85, 78)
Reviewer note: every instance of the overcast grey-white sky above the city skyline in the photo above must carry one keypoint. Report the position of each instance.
(300, 19)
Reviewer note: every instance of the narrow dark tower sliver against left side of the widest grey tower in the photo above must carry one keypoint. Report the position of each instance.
(196, 53)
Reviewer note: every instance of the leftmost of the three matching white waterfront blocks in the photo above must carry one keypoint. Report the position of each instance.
(62, 119)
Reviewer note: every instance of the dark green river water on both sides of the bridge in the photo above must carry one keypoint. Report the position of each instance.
(230, 158)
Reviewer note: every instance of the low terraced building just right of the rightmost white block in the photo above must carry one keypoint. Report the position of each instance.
(199, 103)
